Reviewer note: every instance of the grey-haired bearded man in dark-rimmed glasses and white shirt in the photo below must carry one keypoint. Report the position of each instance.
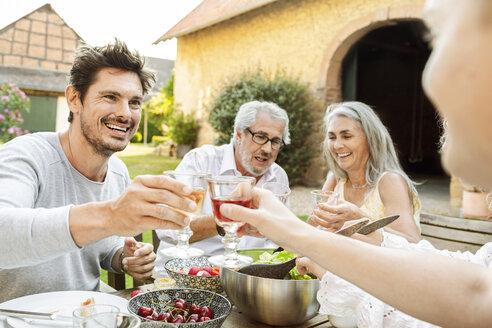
(260, 131)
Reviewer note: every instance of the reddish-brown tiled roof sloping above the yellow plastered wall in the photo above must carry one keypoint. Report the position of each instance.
(211, 12)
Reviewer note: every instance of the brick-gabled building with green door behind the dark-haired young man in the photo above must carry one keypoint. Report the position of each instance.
(36, 53)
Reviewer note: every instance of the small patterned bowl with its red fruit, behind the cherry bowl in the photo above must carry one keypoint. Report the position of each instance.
(194, 272)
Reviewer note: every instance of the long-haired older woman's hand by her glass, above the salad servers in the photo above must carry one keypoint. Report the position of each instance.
(334, 216)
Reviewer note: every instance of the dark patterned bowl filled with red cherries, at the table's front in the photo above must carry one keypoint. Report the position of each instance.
(180, 307)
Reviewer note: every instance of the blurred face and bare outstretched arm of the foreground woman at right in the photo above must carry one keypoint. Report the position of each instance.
(433, 288)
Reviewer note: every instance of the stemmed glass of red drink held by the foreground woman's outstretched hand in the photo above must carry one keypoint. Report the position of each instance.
(230, 190)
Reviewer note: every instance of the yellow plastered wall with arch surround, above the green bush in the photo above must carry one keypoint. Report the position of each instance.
(305, 38)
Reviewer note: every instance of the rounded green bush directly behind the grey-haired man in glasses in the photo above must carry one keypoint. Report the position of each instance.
(287, 92)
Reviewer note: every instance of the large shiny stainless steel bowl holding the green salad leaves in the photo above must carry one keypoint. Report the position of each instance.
(271, 301)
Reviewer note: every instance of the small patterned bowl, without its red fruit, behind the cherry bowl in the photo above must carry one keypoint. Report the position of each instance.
(190, 281)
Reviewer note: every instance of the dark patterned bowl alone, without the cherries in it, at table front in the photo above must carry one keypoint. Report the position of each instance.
(157, 300)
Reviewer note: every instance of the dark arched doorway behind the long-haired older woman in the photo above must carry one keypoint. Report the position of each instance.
(384, 69)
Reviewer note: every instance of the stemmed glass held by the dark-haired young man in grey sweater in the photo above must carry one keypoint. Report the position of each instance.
(198, 182)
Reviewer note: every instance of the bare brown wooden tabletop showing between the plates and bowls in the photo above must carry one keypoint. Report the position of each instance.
(236, 319)
